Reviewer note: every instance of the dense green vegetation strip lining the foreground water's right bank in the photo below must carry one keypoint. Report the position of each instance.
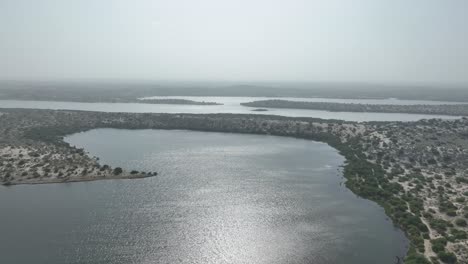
(368, 180)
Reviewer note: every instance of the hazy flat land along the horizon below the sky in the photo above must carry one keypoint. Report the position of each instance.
(124, 92)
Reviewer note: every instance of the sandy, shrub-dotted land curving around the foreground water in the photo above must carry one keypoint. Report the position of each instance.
(417, 171)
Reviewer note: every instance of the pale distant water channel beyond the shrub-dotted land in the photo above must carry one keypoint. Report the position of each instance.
(232, 105)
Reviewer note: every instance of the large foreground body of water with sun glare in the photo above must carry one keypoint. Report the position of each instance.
(219, 198)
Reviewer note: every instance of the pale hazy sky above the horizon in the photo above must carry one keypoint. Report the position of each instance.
(330, 40)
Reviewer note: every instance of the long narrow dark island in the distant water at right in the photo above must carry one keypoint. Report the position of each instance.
(444, 109)
